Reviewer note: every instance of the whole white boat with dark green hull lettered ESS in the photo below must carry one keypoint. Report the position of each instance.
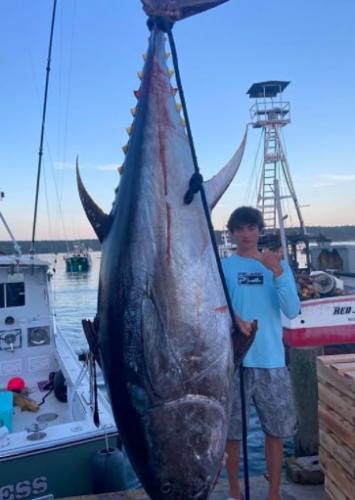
(49, 447)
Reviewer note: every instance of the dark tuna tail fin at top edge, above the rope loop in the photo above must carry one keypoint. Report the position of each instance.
(175, 10)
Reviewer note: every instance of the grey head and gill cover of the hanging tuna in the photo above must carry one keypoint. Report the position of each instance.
(190, 436)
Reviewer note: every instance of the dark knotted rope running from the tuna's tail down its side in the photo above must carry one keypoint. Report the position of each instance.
(195, 185)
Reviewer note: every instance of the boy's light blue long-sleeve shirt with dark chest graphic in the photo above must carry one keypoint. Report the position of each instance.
(257, 294)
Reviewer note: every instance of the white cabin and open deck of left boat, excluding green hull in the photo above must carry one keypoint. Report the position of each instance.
(44, 388)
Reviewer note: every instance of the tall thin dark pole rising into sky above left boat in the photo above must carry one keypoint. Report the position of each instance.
(40, 153)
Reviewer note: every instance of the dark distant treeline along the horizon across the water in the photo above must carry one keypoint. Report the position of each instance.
(334, 233)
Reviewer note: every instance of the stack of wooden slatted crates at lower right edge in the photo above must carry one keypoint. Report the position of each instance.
(336, 386)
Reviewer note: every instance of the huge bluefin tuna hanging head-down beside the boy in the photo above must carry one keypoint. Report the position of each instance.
(163, 327)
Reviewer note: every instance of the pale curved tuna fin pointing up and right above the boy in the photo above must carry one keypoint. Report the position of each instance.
(215, 187)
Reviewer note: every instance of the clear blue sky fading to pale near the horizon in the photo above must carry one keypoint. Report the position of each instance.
(97, 51)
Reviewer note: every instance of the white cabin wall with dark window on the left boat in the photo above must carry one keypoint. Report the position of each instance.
(26, 326)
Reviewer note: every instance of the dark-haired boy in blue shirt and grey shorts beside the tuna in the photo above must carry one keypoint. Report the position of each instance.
(261, 285)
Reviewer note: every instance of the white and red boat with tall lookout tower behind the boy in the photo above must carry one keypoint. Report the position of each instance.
(327, 314)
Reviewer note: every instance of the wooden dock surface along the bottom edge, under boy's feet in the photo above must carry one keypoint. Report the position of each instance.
(258, 491)
